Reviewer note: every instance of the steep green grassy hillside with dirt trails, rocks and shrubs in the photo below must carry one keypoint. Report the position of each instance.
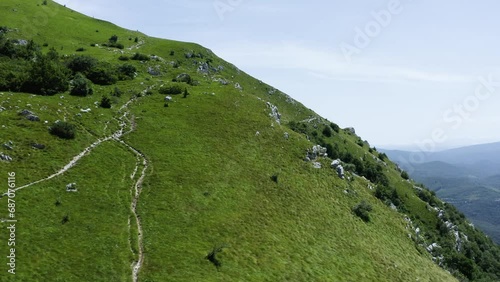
(206, 186)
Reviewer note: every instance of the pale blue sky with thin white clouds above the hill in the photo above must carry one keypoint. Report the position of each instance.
(402, 73)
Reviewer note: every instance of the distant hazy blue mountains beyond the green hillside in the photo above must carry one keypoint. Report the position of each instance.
(467, 177)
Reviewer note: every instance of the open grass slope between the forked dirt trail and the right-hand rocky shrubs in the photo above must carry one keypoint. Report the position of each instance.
(211, 187)
